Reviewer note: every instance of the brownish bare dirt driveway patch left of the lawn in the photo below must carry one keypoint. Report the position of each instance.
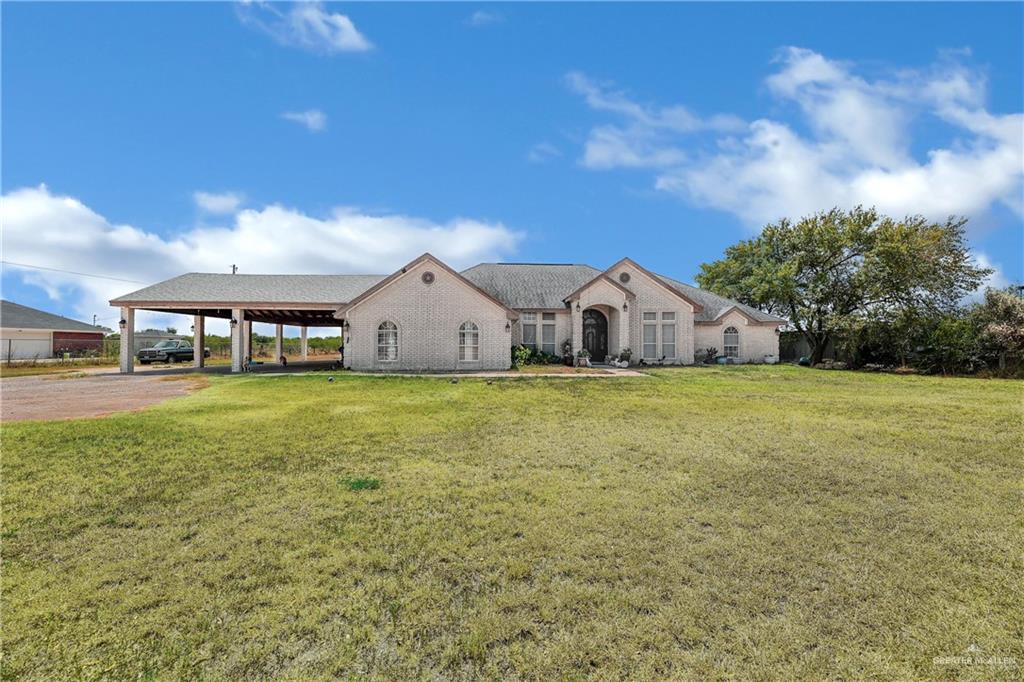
(73, 396)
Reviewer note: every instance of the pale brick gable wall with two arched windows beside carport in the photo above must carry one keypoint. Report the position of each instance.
(429, 318)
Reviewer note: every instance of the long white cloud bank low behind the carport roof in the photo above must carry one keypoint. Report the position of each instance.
(47, 230)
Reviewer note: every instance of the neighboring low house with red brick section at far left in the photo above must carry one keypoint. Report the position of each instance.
(28, 333)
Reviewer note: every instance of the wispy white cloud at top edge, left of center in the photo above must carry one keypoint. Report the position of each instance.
(306, 25)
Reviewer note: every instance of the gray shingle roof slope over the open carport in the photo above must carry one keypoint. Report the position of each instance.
(220, 288)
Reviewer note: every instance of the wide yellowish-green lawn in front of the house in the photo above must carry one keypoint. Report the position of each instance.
(735, 523)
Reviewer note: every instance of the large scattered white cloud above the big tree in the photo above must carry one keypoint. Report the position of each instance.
(858, 149)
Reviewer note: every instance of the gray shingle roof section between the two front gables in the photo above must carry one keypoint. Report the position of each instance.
(531, 285)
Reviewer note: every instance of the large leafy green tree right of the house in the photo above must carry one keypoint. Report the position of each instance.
(828, 272)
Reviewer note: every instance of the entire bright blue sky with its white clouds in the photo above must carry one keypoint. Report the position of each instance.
(143, 141)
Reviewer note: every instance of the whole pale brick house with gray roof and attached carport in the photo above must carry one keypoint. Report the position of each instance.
(430, 317)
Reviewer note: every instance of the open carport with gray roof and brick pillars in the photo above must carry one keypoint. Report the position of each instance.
(298, 301)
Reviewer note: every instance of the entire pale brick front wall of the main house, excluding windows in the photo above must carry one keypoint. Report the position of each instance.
(429, 318)
